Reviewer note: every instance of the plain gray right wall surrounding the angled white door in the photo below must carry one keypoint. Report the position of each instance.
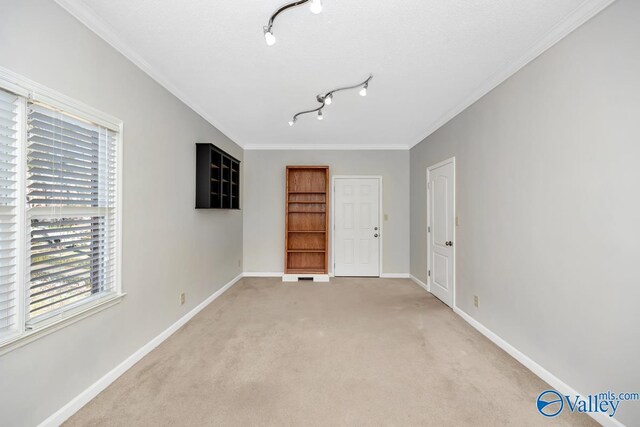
(547, 196)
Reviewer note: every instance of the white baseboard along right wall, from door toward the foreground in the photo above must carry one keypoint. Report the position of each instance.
(534, 367)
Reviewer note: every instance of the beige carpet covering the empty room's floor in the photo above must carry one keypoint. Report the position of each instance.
(352, 352)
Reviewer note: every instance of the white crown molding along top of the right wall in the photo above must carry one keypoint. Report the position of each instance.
(587, 10)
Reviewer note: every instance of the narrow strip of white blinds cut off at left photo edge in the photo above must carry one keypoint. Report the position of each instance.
(8, 214)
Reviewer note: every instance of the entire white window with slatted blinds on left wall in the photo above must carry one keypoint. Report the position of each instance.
(59, 217)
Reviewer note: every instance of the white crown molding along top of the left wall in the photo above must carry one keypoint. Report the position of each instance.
(89, 19)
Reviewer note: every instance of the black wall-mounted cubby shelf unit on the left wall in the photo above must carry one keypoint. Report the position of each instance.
(217, 178)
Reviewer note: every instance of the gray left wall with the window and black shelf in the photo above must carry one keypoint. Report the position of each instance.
(168, 246)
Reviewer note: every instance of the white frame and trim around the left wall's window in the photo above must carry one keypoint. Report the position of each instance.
(29, 90)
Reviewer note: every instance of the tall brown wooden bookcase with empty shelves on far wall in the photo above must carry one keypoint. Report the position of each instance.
(307, 220)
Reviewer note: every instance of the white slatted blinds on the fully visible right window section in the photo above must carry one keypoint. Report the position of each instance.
(71, 195)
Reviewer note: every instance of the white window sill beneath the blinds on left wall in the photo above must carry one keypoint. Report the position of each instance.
(40, 331)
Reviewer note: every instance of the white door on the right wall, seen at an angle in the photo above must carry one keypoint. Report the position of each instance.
(441, 205)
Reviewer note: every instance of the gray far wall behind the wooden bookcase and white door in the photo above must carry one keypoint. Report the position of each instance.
(264, 201)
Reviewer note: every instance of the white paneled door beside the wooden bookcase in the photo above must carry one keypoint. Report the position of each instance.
(357, 227)
